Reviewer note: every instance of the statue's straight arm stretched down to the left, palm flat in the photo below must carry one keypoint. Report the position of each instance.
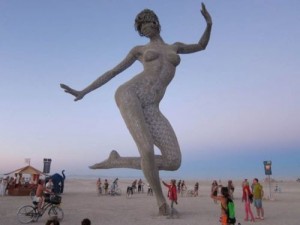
(104, 78)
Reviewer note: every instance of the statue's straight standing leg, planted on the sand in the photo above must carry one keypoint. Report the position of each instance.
(135, 119)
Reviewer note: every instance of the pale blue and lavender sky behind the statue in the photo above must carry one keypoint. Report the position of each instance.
(232, 106)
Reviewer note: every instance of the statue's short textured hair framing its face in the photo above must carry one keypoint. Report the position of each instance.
(146, 15)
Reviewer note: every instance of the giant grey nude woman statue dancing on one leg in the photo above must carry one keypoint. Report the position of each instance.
(138, 100)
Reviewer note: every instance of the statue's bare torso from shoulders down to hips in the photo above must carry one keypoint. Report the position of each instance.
(159, 63)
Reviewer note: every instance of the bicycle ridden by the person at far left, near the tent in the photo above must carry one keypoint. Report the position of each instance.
(30, 213)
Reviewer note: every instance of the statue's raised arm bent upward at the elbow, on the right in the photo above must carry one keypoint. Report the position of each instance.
(190, 48)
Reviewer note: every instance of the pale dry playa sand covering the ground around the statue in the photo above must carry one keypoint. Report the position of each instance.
(80, 200)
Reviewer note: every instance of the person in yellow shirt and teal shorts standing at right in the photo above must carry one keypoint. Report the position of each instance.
(258, 194)
